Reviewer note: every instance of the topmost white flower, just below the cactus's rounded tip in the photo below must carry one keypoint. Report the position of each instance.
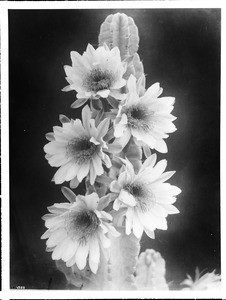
(96, 73)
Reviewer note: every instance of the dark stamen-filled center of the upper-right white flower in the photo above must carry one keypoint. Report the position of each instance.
(140, 117)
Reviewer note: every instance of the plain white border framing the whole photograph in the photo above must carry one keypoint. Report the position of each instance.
(6, 293)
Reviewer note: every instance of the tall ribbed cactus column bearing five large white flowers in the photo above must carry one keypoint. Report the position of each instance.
(95, 238)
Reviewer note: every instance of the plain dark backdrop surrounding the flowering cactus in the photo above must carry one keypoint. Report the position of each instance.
(180, 48)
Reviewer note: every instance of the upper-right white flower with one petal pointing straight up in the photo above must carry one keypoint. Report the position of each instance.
(146, 118)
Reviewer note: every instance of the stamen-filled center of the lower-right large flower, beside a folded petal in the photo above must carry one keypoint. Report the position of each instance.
(143, 196)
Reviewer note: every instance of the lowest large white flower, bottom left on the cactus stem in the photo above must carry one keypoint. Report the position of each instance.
(77, 231)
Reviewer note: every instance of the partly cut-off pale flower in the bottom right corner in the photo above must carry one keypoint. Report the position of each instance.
(208, 281)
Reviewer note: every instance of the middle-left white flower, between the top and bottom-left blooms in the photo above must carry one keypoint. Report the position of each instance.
(78, 149)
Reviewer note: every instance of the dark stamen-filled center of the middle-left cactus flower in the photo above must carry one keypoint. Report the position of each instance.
(81, 149)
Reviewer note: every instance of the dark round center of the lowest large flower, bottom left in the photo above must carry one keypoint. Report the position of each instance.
(82, 225)
